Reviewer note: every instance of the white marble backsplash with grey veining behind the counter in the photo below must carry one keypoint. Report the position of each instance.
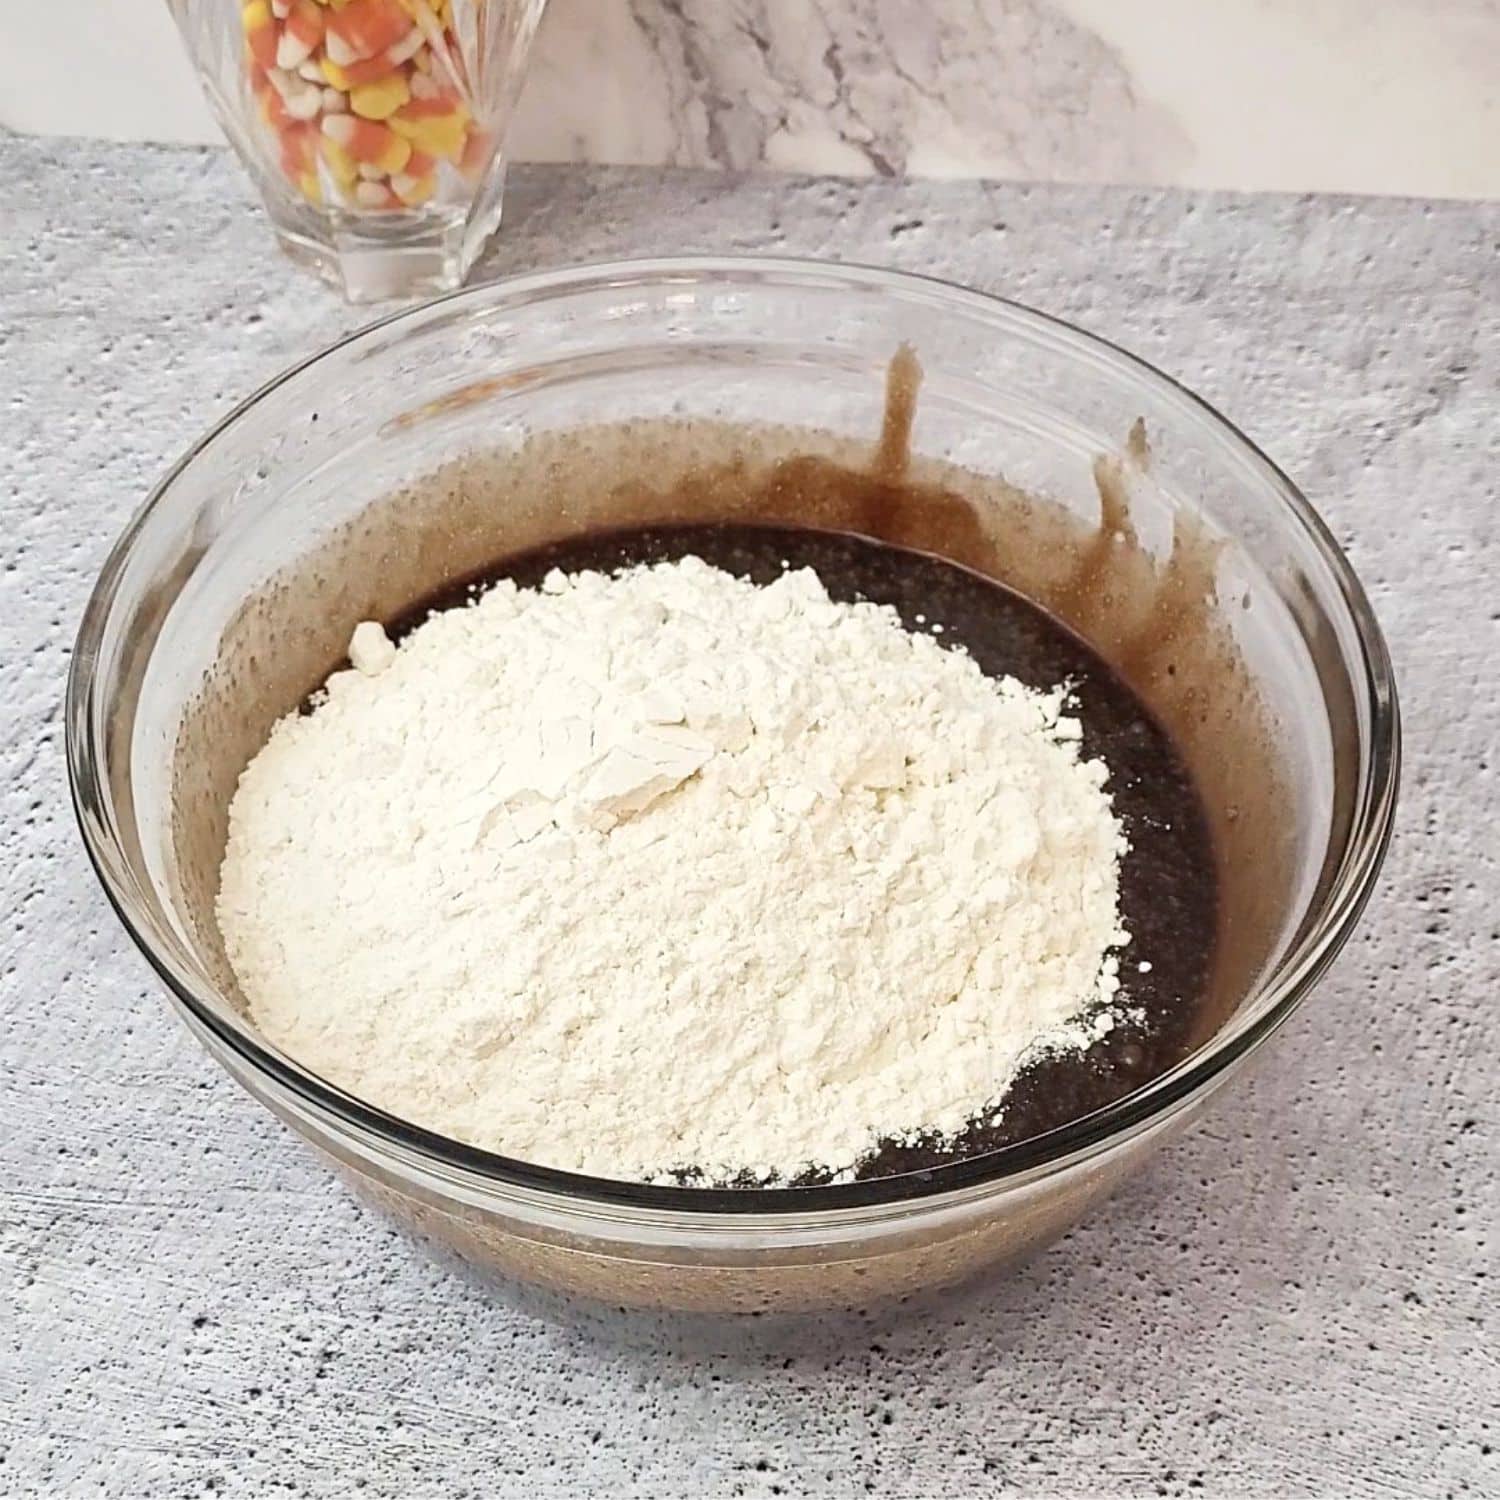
(1397, 97)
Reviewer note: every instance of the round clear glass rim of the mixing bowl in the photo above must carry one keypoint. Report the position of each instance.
(1324, 931)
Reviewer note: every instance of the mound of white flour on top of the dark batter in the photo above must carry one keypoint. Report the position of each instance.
(664, 871)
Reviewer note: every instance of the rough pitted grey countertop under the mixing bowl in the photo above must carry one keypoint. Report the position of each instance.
(1292, 1301)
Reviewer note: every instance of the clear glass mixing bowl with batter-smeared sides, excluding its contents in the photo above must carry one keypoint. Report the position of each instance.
(533, 409)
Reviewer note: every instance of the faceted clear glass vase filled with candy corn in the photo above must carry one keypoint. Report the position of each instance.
(374, 130)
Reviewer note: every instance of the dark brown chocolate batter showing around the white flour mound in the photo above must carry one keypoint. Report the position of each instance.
(1168, 880)
